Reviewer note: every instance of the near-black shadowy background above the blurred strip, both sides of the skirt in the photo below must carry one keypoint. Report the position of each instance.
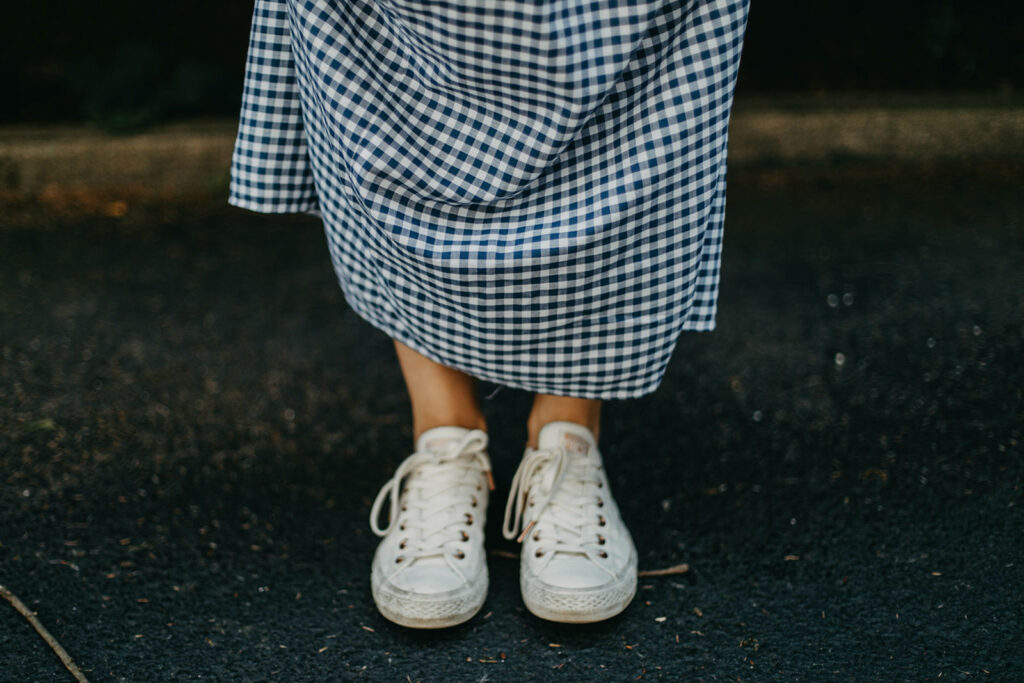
(123, 65)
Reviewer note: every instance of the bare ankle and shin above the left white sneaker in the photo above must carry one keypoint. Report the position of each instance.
(441, 397)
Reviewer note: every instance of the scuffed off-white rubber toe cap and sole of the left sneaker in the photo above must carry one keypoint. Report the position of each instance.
(416, 611)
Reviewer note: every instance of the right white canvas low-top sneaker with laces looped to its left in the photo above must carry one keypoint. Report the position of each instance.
(578, 564)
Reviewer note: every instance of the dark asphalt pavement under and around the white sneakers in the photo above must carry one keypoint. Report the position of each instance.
(193, 426)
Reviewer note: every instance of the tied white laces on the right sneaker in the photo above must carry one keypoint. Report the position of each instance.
(568, 496)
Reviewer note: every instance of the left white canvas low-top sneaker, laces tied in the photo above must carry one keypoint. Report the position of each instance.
(431, 571)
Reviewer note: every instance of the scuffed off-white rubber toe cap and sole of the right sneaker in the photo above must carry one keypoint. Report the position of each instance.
(580, 606)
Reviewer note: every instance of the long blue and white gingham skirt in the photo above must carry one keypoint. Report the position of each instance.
(531, 192)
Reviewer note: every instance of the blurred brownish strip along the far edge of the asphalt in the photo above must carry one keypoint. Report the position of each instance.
(81, 170)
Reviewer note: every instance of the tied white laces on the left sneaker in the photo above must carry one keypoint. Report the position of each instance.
(439, 498)
